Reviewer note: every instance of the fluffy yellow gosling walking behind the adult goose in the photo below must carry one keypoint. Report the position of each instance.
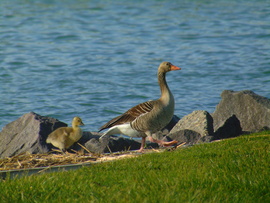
(65, 137)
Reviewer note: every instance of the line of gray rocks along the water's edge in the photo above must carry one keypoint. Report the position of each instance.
(237, 113)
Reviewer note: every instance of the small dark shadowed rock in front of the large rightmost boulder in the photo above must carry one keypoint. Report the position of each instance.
(230, 128)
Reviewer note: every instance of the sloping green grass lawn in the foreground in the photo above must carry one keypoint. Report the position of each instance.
(234, 170)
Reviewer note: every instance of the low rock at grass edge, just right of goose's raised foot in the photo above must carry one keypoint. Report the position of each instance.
(187, 136)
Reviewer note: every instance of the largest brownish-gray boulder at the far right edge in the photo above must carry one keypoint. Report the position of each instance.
(252, 110)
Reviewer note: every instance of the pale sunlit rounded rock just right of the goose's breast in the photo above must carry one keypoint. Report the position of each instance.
(198, 121)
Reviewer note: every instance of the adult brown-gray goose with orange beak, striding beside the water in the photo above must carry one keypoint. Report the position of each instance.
(149, 117)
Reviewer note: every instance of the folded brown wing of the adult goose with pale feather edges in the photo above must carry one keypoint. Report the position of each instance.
(130, 115)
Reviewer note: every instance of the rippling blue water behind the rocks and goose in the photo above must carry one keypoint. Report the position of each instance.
(96, 59)
